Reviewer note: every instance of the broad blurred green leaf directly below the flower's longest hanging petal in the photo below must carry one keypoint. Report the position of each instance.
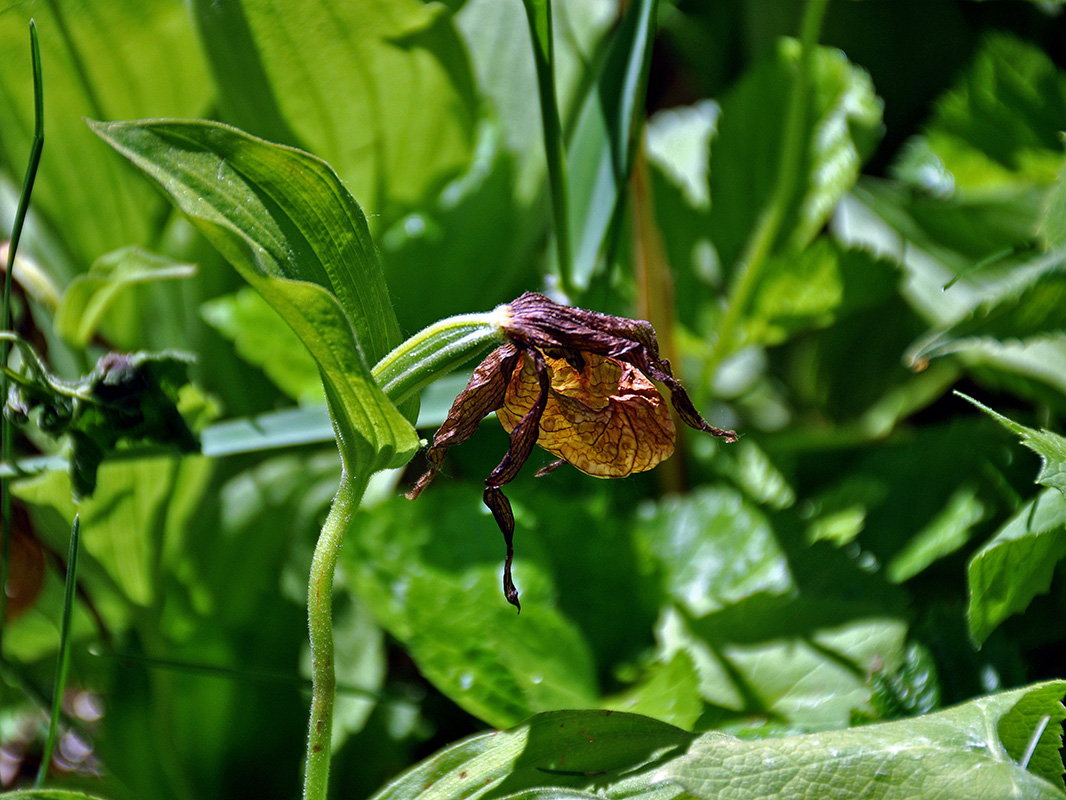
(430, 571)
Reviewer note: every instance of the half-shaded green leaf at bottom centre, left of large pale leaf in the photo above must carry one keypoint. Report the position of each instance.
(609, 753)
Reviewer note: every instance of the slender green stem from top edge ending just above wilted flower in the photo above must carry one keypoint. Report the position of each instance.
(539, 13)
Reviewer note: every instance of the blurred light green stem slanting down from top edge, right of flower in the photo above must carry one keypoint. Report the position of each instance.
(765, 236)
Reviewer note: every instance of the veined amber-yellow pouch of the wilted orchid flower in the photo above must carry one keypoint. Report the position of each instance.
(607, 420)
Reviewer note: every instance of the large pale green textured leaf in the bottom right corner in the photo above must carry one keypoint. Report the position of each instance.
(970, 753)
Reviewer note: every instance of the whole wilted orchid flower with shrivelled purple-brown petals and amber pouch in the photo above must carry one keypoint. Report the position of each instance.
(577, 383)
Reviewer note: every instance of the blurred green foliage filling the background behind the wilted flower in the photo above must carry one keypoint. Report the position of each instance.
(875, 549)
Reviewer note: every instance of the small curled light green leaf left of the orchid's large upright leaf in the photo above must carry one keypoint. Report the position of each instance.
(90, 297)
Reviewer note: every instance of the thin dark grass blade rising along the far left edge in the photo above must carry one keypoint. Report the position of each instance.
(17, 235)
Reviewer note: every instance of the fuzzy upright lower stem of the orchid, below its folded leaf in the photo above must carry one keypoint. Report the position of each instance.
(320, 626)
